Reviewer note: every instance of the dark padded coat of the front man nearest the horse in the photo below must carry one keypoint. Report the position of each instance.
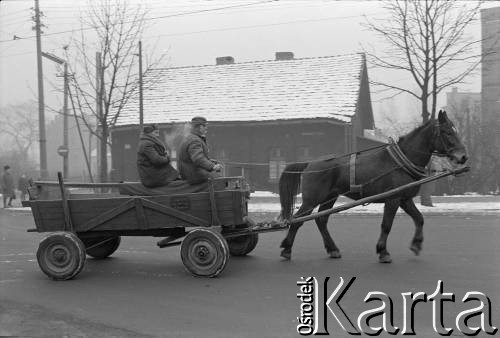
(194, 164)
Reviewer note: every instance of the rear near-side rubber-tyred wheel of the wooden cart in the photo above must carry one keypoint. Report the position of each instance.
(61, 255)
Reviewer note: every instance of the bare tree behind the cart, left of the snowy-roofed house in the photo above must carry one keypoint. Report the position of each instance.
(105, 73)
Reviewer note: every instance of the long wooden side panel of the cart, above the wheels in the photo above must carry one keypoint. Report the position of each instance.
(141, 213)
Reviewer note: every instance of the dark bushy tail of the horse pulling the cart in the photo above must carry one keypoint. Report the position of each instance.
(289, 188)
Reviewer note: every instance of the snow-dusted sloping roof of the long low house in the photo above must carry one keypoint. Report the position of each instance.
(308, 88)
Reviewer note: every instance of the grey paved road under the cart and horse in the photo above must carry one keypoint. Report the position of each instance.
(144, 291)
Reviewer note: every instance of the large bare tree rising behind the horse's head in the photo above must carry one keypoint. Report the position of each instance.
(427, 39)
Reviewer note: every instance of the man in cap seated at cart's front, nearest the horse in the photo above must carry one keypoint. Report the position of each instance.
(194, 164)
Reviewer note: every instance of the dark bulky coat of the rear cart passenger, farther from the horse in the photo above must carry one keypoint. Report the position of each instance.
(153, 162)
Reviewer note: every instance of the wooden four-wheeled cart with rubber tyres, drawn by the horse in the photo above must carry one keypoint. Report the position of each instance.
(93, 225)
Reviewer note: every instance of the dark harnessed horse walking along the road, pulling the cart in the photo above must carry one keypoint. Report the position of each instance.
(376, 170)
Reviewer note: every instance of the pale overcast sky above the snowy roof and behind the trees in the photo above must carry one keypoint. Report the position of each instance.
(254, 31)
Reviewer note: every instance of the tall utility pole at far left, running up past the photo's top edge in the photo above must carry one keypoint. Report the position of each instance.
(41, 102)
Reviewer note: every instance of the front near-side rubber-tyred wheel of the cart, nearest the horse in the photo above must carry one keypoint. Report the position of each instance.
(204, 252)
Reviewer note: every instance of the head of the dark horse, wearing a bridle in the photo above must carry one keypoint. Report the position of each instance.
(446, 140)
